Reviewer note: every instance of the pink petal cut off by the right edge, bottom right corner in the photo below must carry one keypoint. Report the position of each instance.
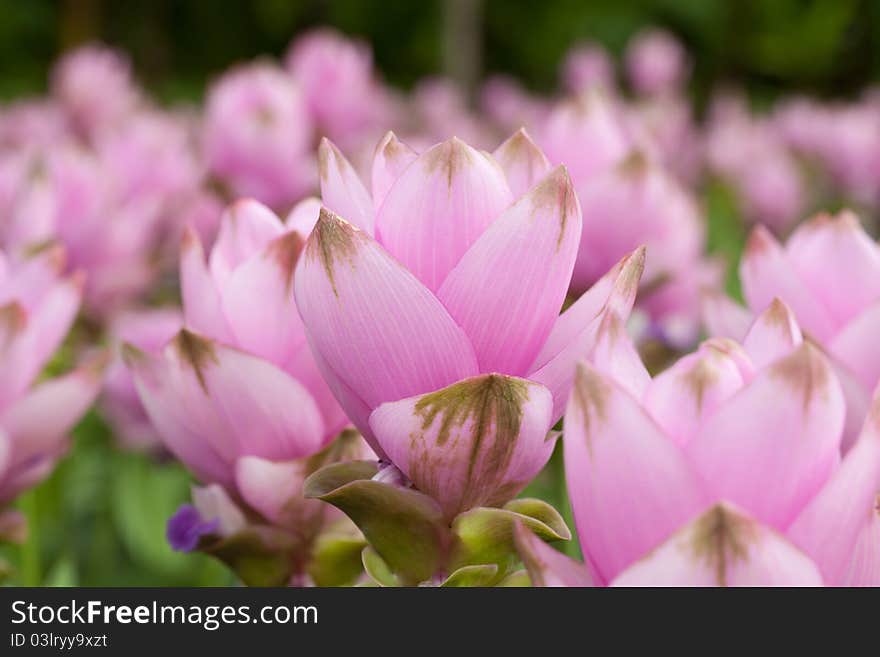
(830, 526)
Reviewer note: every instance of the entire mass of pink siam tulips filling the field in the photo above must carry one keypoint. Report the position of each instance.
(364, 348)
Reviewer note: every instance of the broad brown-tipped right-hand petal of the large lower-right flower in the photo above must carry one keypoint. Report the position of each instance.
(773, 445)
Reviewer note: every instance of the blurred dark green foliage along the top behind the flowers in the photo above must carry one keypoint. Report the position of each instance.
(819, 46)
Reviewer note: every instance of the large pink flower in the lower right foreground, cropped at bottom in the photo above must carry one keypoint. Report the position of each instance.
(724, 469)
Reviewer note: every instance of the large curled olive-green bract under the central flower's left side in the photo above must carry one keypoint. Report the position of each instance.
(402, 525)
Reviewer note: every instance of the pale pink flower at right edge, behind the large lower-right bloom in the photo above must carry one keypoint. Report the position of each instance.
(828, 272)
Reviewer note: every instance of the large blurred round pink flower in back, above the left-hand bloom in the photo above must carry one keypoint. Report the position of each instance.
(258, 134)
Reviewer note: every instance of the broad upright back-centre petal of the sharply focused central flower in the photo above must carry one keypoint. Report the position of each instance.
(439, 207)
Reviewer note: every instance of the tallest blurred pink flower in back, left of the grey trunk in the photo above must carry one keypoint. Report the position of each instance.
(337, 80)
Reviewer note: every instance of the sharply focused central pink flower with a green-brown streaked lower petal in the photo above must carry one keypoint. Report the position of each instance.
(432, 309)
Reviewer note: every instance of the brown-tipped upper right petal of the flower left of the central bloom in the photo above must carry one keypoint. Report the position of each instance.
(258, 303)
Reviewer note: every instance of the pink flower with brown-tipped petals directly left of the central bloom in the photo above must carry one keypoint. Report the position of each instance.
(237, 390)
